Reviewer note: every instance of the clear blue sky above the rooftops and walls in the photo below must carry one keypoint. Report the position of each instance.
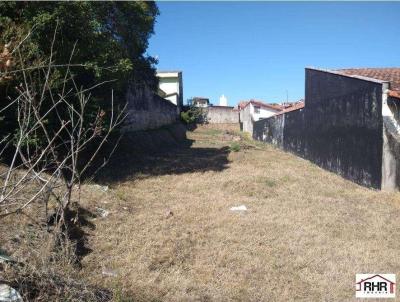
(259, 49)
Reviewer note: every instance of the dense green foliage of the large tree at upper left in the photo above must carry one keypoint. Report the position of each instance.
(95, 42)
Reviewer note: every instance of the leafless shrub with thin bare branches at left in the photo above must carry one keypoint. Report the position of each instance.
(55, 143)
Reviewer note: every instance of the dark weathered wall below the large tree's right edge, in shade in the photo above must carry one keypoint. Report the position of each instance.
(147, 110)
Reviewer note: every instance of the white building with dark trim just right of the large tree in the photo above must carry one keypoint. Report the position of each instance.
(170, 86)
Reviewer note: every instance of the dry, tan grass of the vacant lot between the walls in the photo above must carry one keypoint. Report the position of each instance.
(170, 235)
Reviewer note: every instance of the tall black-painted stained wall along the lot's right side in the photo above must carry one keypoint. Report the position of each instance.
(339, 129)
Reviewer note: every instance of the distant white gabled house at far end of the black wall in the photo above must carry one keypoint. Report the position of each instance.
(253, 110)
